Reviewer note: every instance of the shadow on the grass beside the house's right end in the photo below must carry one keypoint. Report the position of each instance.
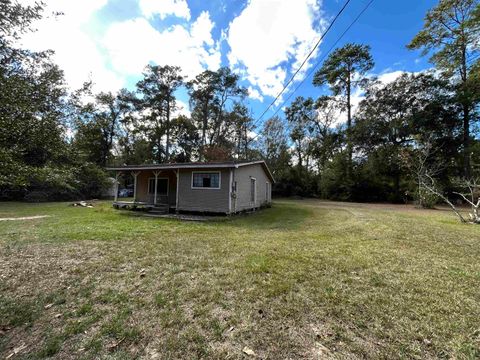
(282, 216)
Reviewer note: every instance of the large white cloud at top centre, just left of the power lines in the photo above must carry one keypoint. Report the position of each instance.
(270, 33)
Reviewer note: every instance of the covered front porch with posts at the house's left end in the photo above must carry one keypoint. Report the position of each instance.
(152, 189)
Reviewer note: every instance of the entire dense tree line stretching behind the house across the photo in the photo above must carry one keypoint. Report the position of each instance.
(55, 142)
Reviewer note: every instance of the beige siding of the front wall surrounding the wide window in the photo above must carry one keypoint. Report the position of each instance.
(206, 200)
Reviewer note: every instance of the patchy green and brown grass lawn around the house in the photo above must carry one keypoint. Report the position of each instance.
(304, 279)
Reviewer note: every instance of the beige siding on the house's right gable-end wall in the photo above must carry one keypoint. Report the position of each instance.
(243, 176)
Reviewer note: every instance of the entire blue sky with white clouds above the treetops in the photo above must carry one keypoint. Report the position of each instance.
(110, 41)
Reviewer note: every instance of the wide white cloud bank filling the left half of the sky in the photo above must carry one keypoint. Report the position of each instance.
(125, 48)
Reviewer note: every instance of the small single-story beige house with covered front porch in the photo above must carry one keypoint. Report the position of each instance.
(211, 187)
